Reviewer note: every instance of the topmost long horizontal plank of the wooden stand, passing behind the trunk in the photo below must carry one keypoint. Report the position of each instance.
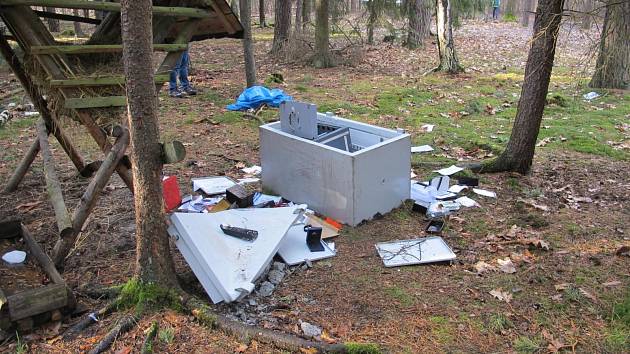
(109, 6)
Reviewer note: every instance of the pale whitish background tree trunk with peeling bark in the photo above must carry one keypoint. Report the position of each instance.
(446, 45)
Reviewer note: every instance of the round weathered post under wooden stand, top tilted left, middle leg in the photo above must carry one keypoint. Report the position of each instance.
(52, 183)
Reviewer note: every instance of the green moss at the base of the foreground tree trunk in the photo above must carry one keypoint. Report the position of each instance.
(147, 297)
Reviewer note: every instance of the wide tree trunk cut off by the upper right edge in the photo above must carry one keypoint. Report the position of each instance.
(612, 69)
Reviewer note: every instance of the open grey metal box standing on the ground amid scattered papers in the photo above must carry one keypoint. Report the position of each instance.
(347, 186)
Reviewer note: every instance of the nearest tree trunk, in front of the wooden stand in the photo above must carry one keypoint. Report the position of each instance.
(153, 259)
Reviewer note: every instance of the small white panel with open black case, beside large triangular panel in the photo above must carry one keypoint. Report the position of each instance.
(294, 250)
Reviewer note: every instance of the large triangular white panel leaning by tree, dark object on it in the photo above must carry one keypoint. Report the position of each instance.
(226, 266)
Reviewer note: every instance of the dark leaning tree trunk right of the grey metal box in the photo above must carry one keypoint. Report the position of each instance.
(519, 152)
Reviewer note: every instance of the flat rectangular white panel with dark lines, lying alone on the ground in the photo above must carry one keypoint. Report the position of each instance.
(417, 251)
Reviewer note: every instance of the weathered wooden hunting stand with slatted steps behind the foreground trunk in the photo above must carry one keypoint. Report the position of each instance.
(62, 78)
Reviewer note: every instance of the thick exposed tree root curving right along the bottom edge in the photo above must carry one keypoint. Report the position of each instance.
(202, 312)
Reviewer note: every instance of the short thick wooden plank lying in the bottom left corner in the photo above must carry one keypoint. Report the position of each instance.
(35, 301)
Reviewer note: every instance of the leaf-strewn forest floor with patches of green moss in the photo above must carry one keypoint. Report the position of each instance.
(573, 296)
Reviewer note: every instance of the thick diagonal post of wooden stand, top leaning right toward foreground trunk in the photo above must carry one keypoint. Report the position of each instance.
(90, 196)
